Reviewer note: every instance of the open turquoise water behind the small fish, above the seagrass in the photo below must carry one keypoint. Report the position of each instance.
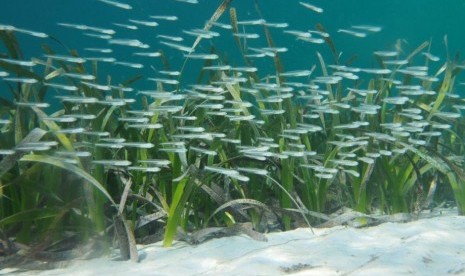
(409, 22)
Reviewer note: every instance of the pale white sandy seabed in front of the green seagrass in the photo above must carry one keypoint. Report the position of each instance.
(433, 246)
